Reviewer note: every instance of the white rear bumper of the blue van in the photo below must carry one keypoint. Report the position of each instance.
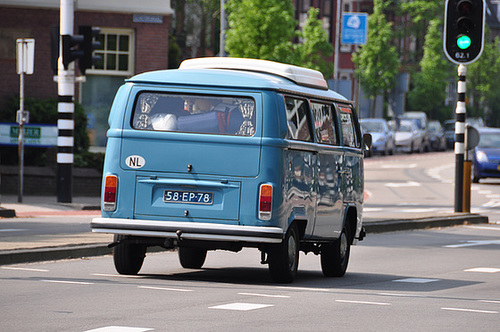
(188, 230)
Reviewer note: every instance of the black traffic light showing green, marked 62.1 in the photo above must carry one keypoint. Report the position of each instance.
(464, 30)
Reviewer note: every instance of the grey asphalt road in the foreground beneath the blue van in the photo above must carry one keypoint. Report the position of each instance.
(437, 279)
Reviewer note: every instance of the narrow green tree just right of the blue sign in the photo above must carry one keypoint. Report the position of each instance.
(377, 61)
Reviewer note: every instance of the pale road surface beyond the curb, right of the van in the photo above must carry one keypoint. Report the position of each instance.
(409, 185)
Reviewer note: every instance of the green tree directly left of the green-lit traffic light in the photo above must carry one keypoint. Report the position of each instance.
(430, 83)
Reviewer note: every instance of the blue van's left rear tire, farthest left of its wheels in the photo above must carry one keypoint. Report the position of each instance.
(128, 257)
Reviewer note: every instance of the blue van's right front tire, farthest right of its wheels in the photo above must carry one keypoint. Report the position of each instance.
(335, 256)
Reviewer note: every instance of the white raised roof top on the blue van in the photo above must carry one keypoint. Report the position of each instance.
(301, 76)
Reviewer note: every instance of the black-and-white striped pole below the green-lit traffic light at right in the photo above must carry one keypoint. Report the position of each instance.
(460, 139)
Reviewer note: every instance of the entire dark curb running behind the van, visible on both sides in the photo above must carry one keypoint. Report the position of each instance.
(90, 250)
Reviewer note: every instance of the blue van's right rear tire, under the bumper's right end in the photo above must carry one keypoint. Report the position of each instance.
(284, 257)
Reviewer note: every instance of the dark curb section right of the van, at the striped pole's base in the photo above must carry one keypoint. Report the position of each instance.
(382, 226)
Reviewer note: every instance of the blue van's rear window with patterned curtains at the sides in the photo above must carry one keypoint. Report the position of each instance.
(202, 114)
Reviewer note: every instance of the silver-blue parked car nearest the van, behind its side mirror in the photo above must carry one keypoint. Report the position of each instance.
(383, 138)
